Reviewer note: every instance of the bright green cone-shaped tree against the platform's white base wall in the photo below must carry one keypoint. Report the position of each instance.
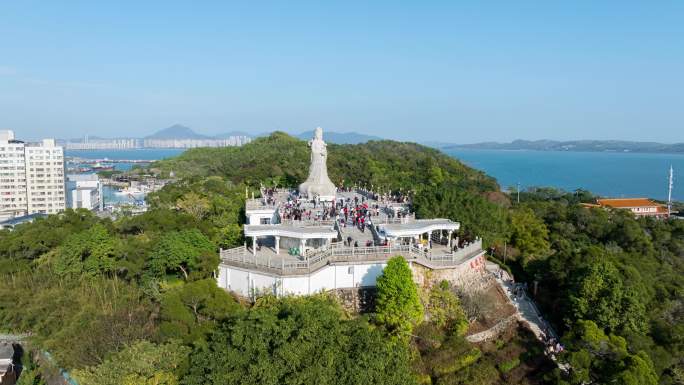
(398, 304)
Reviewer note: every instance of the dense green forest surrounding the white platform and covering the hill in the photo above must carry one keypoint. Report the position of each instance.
(134, 300)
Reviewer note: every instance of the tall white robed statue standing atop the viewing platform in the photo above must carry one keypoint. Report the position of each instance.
(318, 184)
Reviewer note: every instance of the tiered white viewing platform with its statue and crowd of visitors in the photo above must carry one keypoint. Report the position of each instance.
(318, 237)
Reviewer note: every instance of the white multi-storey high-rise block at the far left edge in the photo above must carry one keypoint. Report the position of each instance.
(31, 177)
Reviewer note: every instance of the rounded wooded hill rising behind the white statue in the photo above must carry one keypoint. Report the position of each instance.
(283, 159)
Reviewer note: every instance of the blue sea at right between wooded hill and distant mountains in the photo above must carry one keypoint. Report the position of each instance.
(604, 173)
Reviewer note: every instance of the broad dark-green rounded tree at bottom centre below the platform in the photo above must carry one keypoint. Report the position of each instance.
(298, 341)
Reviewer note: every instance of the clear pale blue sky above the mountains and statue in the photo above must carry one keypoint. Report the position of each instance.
(424, 70)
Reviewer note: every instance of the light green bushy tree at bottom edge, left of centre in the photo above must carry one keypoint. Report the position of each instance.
(142, 363)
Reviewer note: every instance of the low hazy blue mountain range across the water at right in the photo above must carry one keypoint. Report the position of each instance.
(573, 145)
